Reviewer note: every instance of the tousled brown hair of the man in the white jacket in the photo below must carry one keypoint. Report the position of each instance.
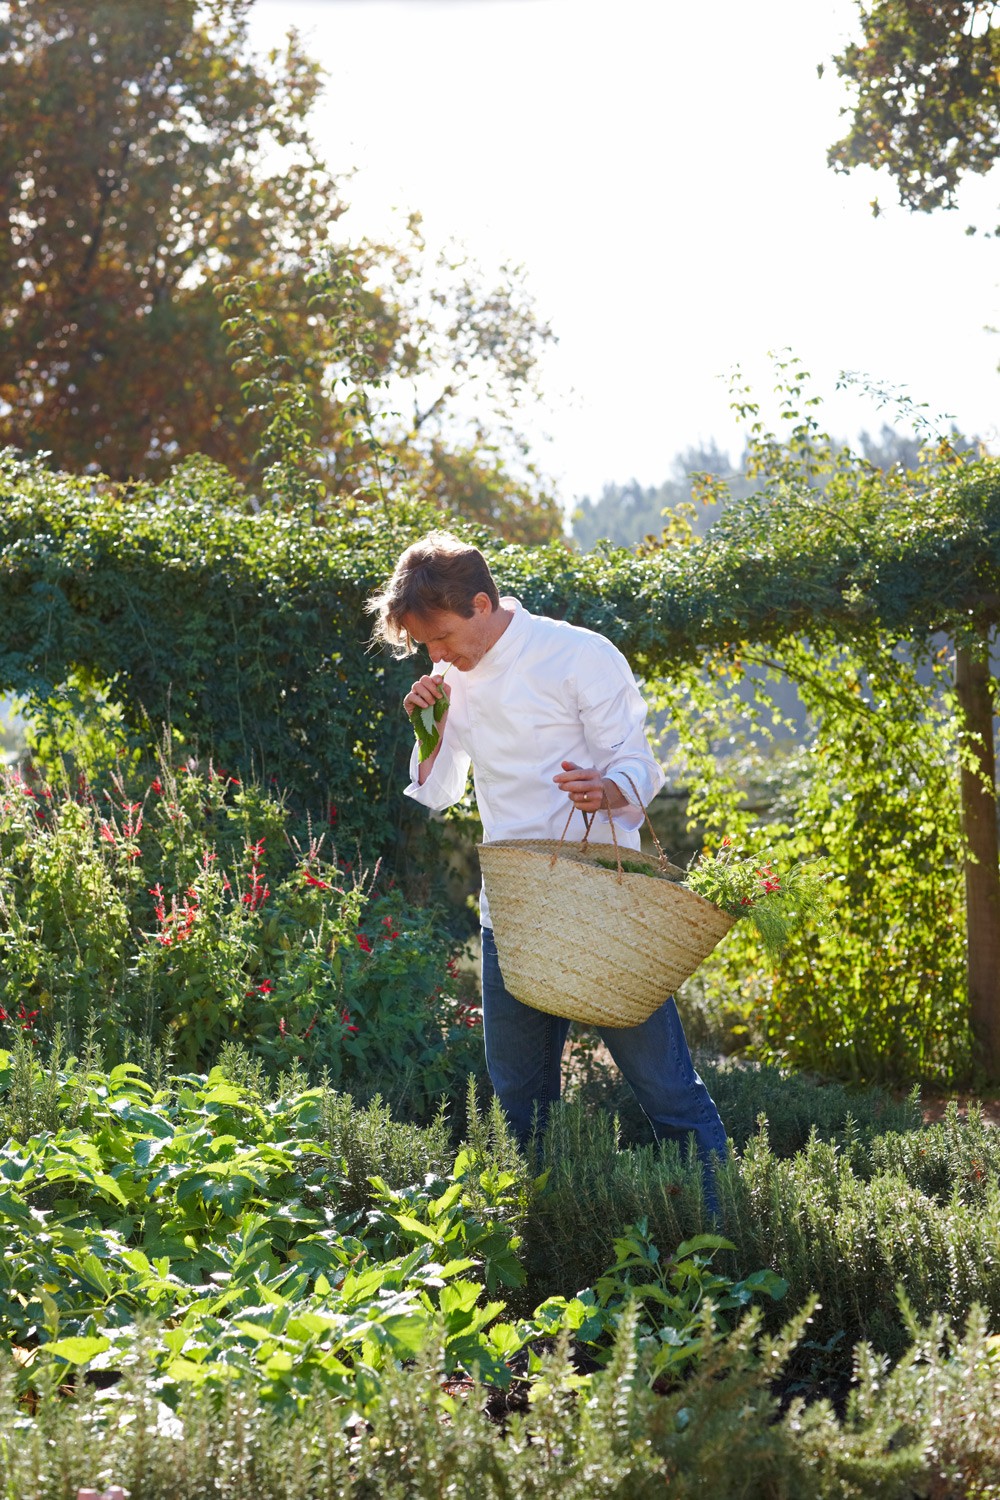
(439, 572)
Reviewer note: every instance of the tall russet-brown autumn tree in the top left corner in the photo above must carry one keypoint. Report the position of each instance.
(130, 182)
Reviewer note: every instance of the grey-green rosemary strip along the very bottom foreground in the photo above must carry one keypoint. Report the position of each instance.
(924, 1429)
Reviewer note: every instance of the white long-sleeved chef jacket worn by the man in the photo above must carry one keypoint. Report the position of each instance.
(546, 692)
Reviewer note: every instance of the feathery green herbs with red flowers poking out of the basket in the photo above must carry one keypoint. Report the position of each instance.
(747, 886)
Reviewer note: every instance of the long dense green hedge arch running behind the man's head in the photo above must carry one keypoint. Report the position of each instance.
(247, 631)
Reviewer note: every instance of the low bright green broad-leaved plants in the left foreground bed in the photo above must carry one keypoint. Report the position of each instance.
(215, 1213)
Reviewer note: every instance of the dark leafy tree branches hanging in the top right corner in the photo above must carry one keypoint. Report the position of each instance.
(926, 85)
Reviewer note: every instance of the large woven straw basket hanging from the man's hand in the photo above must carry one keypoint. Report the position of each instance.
(596, 946)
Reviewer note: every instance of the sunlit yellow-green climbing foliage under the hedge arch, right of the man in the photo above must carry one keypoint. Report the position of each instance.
(873, 991)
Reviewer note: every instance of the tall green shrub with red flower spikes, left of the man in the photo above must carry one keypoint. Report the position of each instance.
(187, 910)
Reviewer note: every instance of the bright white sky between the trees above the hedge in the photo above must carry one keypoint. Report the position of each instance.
(660, 172)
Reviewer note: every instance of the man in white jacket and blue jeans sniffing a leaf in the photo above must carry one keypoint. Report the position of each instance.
(551, 719)
